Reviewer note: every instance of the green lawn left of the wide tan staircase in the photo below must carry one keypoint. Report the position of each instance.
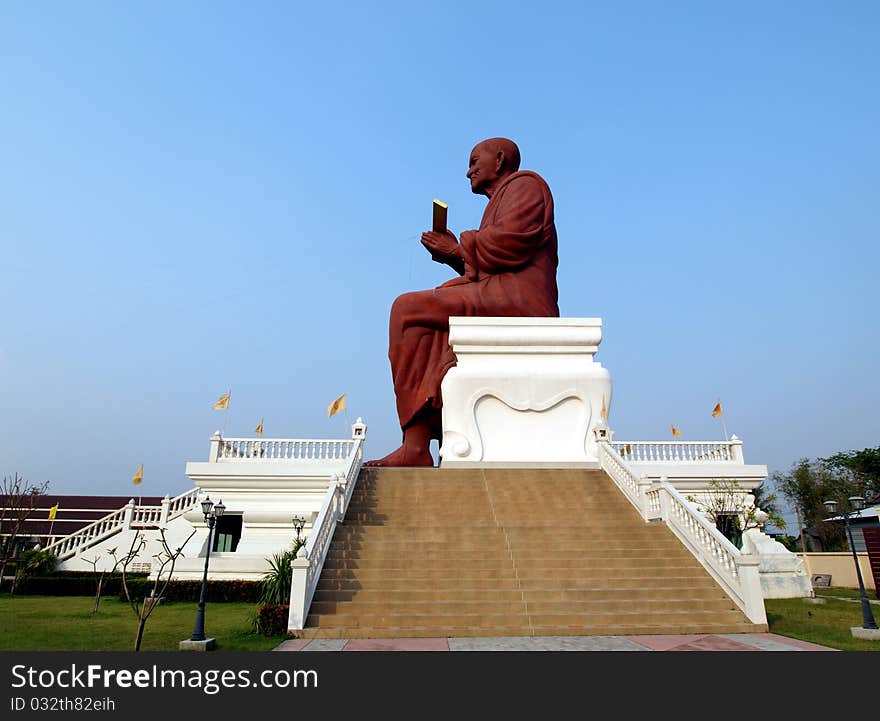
(55, 623)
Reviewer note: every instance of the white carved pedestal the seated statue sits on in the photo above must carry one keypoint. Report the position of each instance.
(525, 392)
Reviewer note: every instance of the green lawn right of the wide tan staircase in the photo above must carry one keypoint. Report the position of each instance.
(827, 624)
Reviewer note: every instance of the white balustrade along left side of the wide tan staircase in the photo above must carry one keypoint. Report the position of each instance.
(309, 563)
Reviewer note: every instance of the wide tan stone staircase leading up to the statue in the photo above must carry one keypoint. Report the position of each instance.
(508, 552)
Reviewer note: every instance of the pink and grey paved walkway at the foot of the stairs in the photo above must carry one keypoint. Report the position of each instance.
(698, 642)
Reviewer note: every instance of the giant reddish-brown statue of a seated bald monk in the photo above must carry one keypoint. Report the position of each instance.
(507, 267)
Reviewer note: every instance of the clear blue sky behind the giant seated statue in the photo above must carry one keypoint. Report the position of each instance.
(207, 197)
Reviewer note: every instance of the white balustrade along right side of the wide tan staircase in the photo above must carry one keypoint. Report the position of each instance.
(736, 572)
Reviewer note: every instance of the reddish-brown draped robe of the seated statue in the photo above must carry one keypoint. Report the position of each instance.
(510, 270)
